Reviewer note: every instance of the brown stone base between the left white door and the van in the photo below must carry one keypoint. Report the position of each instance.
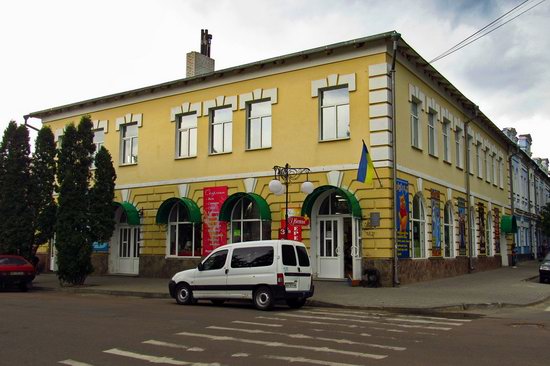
(162, 267)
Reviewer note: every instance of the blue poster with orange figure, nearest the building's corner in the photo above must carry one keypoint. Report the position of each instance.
(402, 218)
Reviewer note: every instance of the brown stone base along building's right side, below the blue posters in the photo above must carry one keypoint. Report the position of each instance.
(417, 270)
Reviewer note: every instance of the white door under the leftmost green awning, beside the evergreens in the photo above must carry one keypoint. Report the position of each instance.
(125, 250)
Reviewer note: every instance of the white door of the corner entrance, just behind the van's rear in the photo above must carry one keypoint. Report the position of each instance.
(331, 256)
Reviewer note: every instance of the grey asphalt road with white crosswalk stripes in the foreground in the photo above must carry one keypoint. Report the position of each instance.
(54, 328)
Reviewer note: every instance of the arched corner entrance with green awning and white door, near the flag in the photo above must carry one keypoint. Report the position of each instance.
(336, 246)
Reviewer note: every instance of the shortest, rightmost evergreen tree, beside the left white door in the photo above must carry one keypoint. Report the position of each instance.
(101, 197)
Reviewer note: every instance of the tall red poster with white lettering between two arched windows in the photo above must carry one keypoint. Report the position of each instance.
(214, 232)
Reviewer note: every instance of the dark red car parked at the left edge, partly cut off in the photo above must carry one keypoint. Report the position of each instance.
(16, 271)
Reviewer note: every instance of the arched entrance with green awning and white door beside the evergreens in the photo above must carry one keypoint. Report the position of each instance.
(125, 242)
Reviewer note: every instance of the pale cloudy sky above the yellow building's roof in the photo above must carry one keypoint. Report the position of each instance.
(58, 52)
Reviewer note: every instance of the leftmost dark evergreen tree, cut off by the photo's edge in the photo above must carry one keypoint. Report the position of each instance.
(16, 209)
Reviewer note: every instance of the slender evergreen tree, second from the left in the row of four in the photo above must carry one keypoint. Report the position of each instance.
(43, 182)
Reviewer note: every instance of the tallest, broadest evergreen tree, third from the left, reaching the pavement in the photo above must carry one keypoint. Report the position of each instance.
(74, 238)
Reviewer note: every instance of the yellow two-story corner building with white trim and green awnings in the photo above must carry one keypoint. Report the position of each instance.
(194, 159)
